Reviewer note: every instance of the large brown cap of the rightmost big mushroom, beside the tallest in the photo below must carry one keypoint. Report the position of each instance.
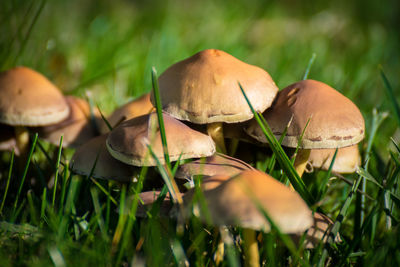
(335, 121)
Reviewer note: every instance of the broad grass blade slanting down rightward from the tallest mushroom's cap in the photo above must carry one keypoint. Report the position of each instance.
(282, 158)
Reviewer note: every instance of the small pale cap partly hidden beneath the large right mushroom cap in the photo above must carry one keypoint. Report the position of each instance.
(347, 159)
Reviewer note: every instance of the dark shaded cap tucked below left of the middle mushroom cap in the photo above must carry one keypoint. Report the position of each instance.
(106, 167)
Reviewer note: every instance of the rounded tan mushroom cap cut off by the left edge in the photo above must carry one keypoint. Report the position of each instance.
(29, 99)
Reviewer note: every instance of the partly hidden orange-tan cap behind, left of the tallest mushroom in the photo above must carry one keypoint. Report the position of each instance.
(135, 108)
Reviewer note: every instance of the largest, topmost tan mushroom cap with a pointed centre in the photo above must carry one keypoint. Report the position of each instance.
(204, 88)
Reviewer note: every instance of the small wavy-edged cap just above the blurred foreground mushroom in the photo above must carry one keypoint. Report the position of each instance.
(218, 164)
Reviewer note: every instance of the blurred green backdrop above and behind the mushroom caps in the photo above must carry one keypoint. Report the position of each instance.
(107, 48)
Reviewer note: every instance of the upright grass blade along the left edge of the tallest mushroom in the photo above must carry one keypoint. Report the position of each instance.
(157, 99)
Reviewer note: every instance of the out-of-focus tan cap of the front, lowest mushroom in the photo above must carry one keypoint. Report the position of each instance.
(233, 203)
